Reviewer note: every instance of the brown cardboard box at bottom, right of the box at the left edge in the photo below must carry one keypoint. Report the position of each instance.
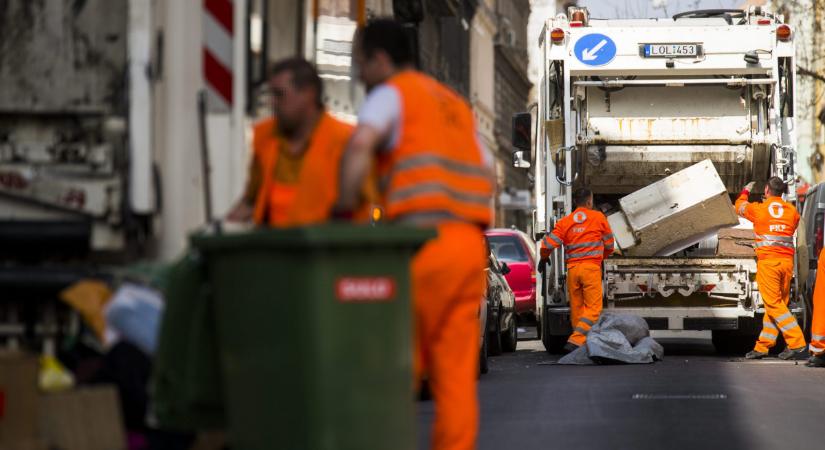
(87, 418)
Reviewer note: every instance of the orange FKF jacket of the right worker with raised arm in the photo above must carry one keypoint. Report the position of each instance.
(774, 223)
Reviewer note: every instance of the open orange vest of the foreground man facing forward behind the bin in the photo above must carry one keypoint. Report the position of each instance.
(310, 200)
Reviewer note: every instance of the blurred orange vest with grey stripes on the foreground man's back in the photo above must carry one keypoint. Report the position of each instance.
(436, 173)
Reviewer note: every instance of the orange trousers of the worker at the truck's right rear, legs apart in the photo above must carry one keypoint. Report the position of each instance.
(773, 275)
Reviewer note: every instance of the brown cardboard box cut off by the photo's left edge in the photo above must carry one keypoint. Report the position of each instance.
(18, 397)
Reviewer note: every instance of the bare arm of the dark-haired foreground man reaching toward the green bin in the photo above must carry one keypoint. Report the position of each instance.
(355, 166)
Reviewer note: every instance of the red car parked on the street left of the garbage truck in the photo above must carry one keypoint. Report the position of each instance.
(519, 252)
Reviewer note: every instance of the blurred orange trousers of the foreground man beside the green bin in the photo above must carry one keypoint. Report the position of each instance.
(448, 286)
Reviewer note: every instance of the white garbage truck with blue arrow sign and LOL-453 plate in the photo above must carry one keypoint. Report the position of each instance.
(623, 104)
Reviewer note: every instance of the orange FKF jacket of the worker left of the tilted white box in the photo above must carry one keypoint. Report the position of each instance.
(585, 234)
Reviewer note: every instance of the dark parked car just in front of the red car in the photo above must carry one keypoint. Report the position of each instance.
(502, 330)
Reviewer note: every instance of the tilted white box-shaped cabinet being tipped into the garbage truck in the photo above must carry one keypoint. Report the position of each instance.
(673, 213)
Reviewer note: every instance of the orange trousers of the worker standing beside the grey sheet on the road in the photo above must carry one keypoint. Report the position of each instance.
(584, 287)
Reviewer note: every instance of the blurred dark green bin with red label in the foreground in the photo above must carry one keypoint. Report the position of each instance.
(314, 335)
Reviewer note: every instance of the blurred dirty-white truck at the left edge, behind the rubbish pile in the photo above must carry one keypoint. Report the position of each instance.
(85, 139)
